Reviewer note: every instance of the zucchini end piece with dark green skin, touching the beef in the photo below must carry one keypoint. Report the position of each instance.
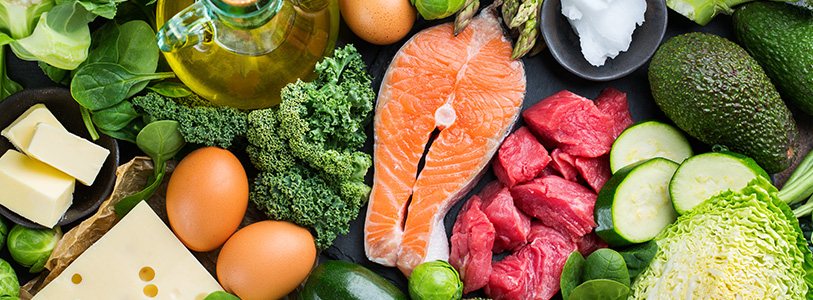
(634, 205)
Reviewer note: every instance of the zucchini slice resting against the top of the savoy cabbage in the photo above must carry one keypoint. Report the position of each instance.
(704, 175)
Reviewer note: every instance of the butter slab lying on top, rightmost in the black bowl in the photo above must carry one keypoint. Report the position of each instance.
(67, 152)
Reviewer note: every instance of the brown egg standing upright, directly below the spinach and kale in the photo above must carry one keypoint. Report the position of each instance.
(207, 197)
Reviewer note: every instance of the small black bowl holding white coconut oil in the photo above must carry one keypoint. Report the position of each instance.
(563, 42)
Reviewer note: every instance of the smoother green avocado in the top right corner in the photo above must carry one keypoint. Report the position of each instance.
(779, 36)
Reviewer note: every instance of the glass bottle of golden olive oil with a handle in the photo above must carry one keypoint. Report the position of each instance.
(241, 53)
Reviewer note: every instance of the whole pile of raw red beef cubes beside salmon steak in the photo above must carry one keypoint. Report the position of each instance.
(541, 206)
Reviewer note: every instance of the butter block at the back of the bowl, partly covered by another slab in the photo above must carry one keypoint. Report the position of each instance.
(20, 131)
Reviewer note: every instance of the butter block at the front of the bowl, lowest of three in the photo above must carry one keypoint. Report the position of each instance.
(33, 189)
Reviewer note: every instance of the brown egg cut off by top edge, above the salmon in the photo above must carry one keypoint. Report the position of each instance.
(380, 22)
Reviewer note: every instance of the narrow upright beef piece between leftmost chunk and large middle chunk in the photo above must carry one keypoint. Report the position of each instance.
(511, 226)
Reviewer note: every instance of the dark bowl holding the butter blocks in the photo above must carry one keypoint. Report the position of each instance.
(86, 199)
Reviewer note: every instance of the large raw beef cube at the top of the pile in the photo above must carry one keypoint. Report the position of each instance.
(571, 122)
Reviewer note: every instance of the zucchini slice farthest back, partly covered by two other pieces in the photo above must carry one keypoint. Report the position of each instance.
(646, 140)
